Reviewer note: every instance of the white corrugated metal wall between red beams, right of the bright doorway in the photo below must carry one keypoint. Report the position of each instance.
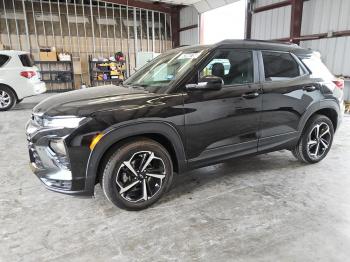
(319, 16)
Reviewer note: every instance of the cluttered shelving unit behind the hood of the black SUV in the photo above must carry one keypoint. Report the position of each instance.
(96, 72)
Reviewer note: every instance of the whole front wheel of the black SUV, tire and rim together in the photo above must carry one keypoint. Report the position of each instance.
(142, 169)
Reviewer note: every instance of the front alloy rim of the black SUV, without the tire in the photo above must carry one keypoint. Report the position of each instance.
(141, 177)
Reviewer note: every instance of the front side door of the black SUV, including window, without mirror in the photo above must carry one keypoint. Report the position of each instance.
(224, 123)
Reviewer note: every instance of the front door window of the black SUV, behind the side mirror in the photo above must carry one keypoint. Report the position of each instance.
(233, 66)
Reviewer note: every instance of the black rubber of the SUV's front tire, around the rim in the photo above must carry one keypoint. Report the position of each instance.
(123, 154)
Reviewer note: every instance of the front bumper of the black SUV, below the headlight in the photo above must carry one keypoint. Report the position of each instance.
(53, 170)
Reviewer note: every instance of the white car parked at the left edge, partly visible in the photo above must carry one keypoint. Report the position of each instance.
(19, 78)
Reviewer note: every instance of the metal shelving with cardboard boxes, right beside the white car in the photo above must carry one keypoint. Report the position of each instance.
(58, 75)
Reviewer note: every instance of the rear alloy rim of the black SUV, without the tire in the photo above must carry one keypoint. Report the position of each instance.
(318, 140)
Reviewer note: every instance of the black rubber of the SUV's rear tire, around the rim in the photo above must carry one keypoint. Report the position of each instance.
(316, 120)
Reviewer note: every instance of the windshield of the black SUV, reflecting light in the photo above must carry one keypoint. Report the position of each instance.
(165, 69)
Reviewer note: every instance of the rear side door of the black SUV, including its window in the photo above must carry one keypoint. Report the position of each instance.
(288, 93)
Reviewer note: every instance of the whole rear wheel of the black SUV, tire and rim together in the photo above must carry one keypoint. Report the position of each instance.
(315, 141)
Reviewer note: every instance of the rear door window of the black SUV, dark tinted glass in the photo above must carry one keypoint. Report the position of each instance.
(280, 66)
